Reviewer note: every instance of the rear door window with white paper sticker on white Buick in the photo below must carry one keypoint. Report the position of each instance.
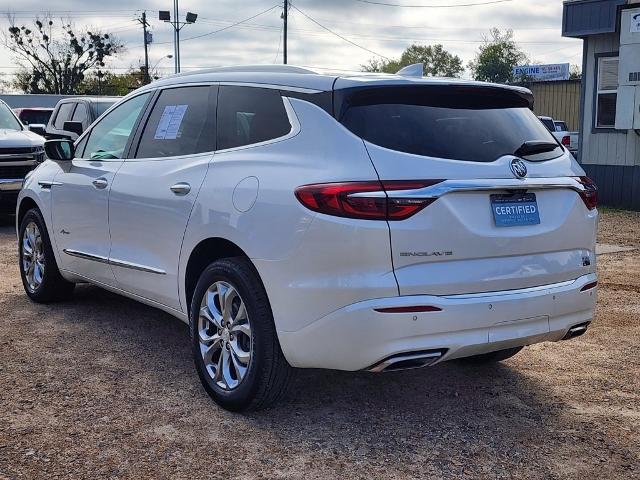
(182, 122)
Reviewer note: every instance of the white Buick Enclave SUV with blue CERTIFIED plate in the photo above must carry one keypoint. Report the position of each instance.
(295, 219)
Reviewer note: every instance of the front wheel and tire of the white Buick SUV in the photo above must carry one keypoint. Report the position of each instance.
(45, 284)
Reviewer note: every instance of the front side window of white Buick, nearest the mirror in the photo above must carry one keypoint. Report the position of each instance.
(108, 138)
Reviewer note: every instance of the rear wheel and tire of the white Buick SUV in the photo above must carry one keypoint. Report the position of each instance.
(240, 364)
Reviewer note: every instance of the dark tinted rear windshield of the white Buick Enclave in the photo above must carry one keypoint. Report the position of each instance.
(477, 124)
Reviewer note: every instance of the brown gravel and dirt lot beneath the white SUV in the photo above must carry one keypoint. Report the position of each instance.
(105, 387)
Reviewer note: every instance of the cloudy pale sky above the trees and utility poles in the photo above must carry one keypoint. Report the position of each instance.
(368, 29)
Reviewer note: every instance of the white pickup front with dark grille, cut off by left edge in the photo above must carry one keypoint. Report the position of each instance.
(20, 151)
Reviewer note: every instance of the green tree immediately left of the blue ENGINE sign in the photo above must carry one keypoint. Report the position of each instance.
(496, 58)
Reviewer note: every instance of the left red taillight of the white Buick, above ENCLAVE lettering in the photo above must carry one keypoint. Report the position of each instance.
(365, 200)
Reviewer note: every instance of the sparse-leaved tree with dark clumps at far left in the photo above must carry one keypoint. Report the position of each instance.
(53, 58)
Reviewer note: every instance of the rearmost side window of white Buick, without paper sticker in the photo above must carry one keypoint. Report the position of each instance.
(248, 115)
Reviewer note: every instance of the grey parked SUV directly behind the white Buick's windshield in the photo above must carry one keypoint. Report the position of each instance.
(72, 116)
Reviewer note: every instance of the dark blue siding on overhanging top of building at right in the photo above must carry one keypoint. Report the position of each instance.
(590, 17)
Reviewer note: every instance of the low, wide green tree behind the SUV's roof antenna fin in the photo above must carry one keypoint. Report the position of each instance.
(436, 60)
